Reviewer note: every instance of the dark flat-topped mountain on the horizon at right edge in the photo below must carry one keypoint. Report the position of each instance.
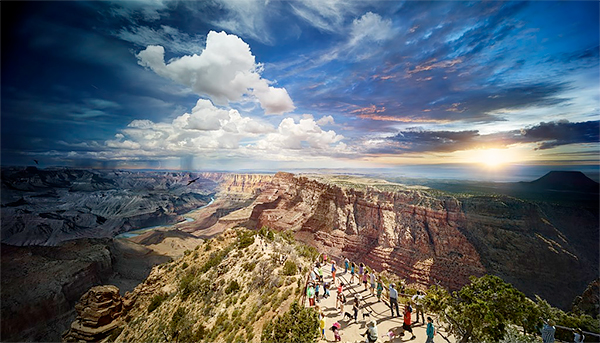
(573, 181)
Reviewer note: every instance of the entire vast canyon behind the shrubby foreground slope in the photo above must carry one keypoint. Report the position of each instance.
(58, 225)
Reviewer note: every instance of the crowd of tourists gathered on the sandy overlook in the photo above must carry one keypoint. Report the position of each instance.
(373, 287)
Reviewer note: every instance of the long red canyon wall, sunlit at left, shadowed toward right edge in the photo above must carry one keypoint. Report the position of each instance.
(426, 237)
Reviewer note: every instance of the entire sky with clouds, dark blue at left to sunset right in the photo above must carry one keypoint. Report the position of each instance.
(276, 85)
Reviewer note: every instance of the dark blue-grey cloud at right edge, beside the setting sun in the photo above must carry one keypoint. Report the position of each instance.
(553, 134)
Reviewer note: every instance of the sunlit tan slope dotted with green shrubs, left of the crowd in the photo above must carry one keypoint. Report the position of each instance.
(226, 290)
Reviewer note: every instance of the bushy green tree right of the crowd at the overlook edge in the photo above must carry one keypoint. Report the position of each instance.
(482, 310)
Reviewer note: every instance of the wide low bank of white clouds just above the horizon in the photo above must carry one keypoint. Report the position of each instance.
(212, 131)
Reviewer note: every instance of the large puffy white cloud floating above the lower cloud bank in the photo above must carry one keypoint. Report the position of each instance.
(225, 71)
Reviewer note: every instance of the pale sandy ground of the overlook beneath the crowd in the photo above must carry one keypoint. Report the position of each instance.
(379, 311)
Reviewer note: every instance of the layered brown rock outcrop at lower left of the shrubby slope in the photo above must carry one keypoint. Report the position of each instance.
(98, 314)
